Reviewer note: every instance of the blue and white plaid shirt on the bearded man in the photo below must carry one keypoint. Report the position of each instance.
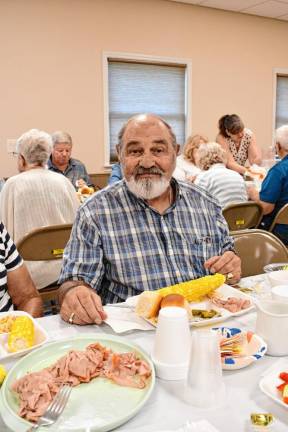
(120, 246)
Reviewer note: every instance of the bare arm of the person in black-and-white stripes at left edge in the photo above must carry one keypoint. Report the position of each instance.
(23, 292)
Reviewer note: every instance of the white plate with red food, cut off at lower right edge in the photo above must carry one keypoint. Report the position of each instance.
(275, 383)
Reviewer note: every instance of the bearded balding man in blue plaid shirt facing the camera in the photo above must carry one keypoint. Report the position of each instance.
(144, 232)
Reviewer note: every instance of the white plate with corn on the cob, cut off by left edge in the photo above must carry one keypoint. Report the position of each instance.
(19, 334)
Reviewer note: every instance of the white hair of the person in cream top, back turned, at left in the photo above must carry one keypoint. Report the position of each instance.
(35, 146)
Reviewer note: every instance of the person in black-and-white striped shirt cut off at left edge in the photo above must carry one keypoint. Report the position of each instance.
(16, 286)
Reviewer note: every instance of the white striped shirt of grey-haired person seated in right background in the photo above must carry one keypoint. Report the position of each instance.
(223, 184)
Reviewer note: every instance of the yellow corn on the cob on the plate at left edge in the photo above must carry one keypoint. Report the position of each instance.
(21, 335)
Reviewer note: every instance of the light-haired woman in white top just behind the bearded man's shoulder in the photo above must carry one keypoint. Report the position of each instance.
(186, 168)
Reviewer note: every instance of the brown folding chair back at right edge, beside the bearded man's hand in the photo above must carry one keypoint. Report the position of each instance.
(257, 248)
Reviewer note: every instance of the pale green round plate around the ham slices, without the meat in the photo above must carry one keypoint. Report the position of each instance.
(98, 406)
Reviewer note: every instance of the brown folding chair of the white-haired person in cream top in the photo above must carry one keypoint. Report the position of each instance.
(45, 244)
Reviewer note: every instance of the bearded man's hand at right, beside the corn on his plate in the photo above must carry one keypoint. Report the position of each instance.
(228, 264)
